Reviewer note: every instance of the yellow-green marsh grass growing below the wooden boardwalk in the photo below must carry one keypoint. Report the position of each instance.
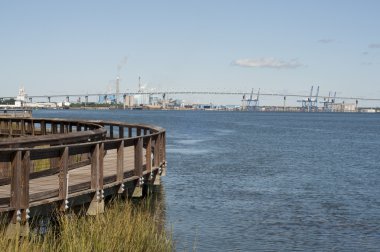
(123, 227)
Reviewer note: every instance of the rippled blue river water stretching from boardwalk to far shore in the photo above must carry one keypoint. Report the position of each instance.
(267, 181)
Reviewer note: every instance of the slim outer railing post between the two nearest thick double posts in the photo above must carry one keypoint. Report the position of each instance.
(63, 178)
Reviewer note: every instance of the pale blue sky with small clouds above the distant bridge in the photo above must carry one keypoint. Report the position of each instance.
(56, 47)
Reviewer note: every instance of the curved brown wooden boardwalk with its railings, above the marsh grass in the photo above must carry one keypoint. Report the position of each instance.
(64, 163)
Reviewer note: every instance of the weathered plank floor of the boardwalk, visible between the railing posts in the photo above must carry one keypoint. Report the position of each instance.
(76, 176)
